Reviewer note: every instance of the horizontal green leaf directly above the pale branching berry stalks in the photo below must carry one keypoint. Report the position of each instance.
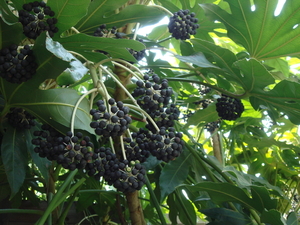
(85, 44)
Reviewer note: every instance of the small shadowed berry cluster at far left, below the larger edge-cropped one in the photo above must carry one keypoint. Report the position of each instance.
(20, 118)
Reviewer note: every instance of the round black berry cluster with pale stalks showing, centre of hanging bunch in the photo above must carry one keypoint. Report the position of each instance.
(110, 121)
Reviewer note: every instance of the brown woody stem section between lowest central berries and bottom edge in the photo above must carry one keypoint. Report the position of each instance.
(135, 209)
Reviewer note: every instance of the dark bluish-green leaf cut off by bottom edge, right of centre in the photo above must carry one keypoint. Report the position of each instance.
(226, 216)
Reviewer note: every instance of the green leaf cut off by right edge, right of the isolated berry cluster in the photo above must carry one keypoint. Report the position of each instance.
(285, 97)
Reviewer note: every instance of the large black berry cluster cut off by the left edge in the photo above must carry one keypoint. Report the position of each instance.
(17, 67)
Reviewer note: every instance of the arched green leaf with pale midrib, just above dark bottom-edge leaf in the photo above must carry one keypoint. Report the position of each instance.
(223, 192)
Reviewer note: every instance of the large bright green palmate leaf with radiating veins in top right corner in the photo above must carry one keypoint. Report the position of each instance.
(262, 33)
